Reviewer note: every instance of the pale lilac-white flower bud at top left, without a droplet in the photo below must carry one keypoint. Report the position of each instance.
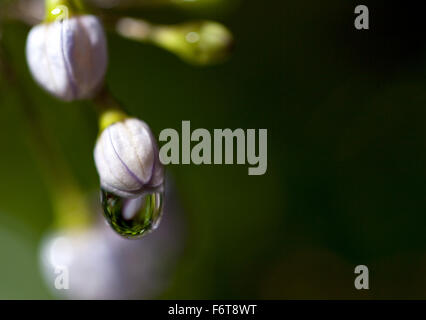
(68, 58)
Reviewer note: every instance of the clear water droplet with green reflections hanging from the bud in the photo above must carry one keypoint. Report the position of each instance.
(132, 218)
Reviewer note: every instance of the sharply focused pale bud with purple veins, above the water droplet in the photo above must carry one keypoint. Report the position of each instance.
(127, 160)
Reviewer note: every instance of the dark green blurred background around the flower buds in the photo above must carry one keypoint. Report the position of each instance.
(345, 185)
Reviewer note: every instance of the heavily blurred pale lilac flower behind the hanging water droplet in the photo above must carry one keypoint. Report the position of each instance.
(96, 263)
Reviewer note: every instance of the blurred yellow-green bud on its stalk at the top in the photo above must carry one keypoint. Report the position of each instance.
(201, 43)
